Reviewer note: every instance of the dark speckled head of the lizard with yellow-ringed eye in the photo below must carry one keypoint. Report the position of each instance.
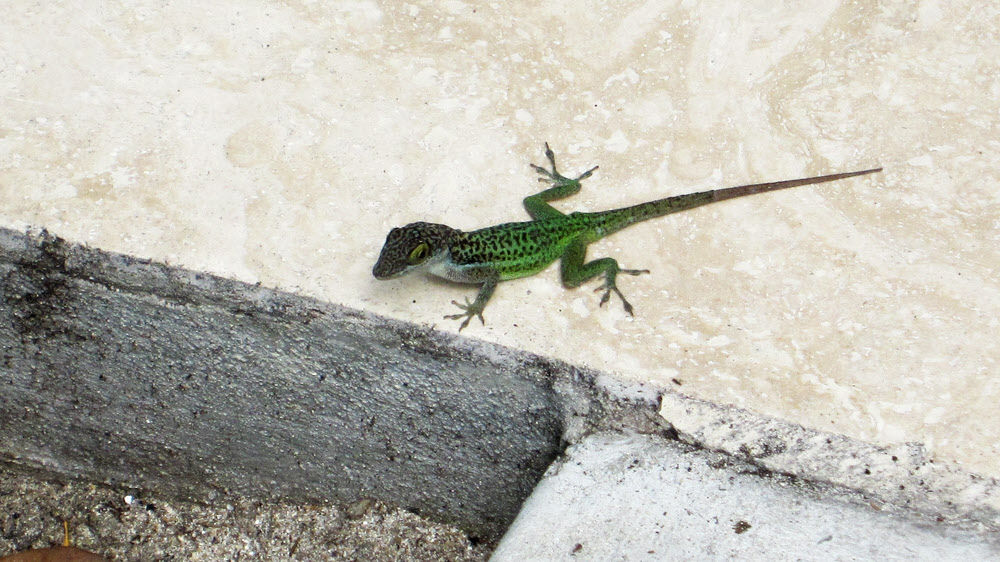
(412, 247)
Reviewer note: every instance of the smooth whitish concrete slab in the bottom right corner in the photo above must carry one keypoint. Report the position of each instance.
(635, 497)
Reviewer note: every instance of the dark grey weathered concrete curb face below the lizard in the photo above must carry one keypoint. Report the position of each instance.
(138, 374)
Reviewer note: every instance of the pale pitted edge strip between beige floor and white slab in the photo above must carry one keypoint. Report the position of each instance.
(904, 475)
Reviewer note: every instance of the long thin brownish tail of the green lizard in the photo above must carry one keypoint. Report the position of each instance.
(609, 222)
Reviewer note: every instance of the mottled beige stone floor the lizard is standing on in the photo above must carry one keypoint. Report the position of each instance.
(278, 142)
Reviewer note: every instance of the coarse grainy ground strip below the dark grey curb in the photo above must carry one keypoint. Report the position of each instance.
(129, 525)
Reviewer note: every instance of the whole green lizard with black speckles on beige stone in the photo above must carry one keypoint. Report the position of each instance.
(519, 249)
